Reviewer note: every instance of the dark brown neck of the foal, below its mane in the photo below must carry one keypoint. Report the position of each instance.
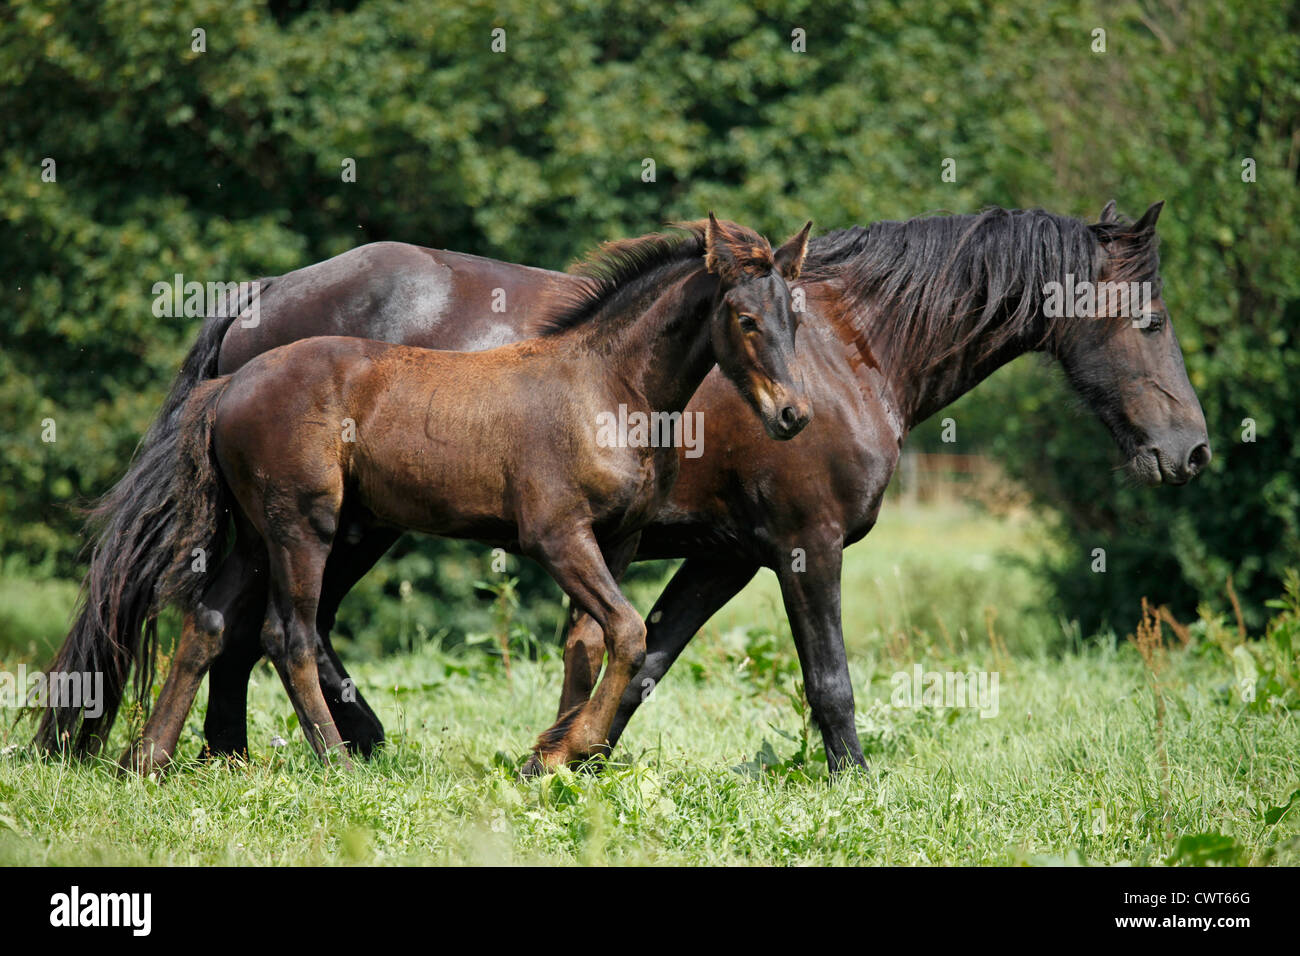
(666, 353)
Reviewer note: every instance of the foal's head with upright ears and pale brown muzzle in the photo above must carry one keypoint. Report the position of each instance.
(753, 325)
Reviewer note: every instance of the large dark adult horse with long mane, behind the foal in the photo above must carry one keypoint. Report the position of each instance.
(900, 321)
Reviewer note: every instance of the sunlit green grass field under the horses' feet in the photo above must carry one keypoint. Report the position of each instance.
(721, 767)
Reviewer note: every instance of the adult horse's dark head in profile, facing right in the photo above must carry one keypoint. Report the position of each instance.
(1125, 358)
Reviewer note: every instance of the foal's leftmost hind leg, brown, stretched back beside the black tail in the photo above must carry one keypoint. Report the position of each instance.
(200, 646)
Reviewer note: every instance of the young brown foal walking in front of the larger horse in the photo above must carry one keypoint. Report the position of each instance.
(332, 436)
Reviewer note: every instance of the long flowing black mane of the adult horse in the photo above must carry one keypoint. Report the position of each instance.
(942, 283)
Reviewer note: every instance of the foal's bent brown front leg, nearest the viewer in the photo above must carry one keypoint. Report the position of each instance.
(577, 564)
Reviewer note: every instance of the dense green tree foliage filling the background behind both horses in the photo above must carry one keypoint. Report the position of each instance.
(227, 165)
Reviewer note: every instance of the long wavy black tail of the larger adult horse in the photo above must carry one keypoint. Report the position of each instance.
(135, 529)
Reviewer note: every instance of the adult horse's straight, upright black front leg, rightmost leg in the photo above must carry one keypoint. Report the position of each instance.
(812, 596)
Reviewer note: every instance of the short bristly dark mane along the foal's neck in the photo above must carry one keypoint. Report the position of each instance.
(619, 271)
